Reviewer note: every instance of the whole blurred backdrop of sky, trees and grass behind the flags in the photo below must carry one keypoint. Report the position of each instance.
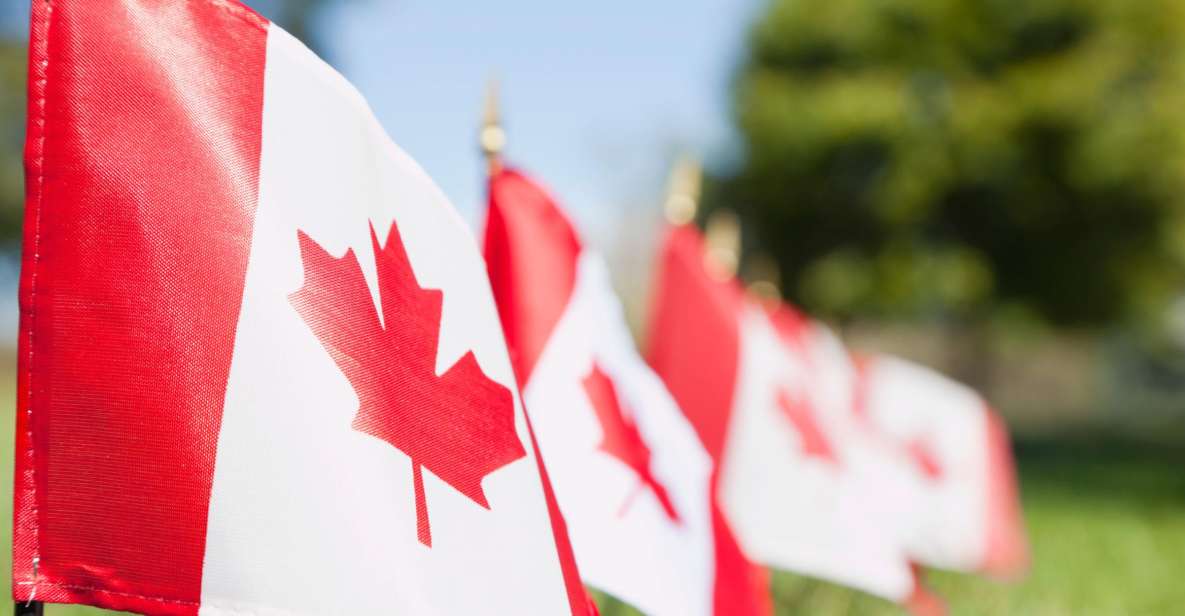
(992, 188)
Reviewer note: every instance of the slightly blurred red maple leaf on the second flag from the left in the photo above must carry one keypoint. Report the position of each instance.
(620, 438)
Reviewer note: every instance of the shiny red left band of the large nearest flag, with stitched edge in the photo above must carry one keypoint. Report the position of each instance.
(116, 459)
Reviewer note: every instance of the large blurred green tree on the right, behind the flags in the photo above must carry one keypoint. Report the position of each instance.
(951, 158)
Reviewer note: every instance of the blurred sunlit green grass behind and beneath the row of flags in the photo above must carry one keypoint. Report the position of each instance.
(1106, 521)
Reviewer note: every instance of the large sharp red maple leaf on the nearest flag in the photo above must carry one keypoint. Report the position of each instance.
(459, 425)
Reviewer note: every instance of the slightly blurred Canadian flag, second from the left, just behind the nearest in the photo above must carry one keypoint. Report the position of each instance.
(632, 478)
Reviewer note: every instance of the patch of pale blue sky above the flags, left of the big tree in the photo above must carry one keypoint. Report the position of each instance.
(597, 97)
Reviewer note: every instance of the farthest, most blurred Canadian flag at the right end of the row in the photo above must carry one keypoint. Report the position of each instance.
(969, 504)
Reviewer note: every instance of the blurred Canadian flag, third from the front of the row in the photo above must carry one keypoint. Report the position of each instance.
(803, 484)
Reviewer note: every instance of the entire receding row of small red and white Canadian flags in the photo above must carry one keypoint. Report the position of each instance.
(266, 369)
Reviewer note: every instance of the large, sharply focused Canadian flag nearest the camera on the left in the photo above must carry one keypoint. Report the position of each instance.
(261, 368)
